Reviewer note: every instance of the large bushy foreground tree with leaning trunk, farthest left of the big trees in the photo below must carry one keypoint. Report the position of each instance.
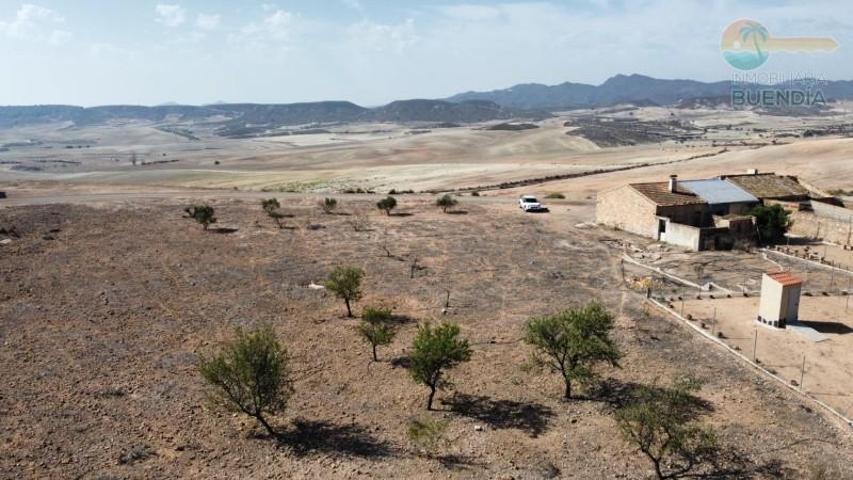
(250, 374)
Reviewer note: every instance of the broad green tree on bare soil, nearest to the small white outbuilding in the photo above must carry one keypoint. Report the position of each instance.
(572, 342)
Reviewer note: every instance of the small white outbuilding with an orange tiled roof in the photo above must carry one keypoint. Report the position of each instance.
(780, 299)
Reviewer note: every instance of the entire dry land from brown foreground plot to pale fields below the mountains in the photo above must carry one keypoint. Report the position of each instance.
(110, 296)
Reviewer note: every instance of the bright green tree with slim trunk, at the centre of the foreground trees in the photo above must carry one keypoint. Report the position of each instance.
(435, 350)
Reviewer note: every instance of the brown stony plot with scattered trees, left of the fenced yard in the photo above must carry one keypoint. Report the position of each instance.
(104, 311)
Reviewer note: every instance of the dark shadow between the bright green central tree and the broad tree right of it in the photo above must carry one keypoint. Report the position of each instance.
(531, 418)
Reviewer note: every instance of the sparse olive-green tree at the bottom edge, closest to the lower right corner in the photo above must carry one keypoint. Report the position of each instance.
(660, 422)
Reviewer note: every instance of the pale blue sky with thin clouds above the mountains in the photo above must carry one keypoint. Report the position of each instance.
(94, 52)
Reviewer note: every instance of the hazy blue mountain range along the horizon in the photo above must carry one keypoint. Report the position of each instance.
(529, 101)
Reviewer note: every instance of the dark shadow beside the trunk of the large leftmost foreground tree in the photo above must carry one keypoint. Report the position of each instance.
(310, 436)
